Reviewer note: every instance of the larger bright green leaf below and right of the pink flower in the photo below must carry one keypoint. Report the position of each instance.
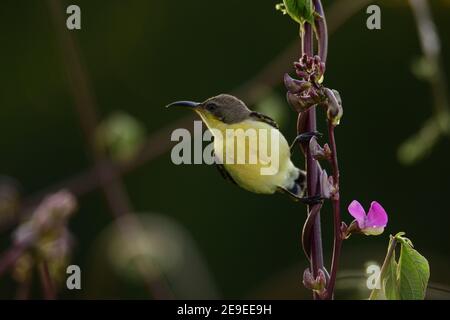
(414, 273)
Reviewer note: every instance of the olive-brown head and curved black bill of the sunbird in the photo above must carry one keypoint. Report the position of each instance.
(224, 108)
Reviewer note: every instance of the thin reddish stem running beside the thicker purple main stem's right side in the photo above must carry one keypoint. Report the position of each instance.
(336, 203)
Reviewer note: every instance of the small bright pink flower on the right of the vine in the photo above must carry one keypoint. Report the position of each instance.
(374, 222)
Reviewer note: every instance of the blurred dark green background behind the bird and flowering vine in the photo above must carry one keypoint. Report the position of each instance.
(83, 111)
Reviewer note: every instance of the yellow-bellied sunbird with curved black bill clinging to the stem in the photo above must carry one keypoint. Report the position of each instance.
(225, 113)
